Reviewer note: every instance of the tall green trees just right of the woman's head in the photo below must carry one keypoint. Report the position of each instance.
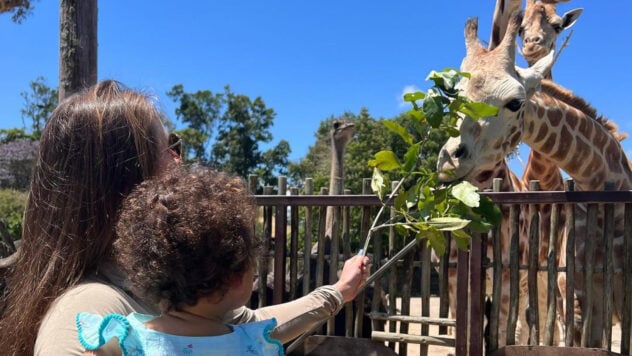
(226, 130)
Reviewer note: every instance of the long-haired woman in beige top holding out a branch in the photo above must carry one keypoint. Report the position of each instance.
(95, 148)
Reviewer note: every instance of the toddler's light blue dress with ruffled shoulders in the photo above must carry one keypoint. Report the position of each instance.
(136, 339)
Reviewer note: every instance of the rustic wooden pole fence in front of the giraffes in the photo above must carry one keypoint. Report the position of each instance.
(290, 223)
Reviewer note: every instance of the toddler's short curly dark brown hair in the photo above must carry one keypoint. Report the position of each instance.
(186, 234)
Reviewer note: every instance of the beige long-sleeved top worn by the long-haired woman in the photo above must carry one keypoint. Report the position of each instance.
(107, 292)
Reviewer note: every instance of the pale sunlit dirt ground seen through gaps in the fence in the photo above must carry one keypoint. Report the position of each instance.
(415, 329)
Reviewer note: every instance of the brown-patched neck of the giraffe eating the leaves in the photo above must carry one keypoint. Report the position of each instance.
(575, 142)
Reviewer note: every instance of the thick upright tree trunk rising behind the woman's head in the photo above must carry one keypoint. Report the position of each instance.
(77, 46)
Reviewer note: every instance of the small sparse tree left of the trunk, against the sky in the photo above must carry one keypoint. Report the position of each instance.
(39, 104)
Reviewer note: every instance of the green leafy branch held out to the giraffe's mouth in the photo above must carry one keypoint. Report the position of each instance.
(424, 206)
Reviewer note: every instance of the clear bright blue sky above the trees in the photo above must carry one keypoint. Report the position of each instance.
(307, 60)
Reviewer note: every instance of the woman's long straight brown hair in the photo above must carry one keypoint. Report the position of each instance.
(95, 148)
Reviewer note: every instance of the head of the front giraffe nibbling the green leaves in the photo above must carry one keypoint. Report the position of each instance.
(494, 80)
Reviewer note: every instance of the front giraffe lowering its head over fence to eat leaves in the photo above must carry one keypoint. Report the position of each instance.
(587, 148)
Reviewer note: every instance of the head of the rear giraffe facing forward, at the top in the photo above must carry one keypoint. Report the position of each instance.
(541, 26)
